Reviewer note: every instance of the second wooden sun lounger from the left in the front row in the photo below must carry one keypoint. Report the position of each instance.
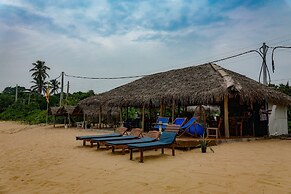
(134, 134)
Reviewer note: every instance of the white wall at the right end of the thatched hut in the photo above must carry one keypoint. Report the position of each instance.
(278, 123)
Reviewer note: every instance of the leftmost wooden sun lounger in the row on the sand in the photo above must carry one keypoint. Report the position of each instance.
(120, 131)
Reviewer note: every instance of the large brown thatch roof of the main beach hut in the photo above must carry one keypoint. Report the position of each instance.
(203, 84)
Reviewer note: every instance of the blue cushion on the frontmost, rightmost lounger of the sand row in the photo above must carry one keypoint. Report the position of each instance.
(167, 138)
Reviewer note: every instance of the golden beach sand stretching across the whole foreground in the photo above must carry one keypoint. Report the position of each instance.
(43, 159)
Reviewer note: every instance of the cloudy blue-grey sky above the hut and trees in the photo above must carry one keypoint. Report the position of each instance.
(109, 38)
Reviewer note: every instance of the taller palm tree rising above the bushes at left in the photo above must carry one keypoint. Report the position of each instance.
(39, 75)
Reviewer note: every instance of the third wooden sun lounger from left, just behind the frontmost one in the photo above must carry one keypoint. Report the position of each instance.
(122, 144)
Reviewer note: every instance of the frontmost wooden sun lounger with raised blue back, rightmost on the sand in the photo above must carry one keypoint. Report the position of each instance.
(167, 140)
